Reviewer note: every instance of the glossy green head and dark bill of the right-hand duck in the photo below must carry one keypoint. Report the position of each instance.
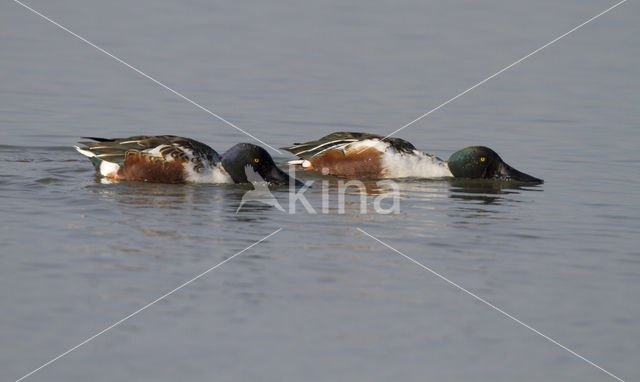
(482, 162)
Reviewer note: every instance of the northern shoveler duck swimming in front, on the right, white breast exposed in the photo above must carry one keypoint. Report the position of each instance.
(362, 155)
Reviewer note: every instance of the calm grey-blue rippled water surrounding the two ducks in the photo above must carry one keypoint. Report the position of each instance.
(320, 300)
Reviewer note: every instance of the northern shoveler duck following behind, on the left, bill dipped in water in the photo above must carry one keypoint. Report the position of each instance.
(171, 159)
